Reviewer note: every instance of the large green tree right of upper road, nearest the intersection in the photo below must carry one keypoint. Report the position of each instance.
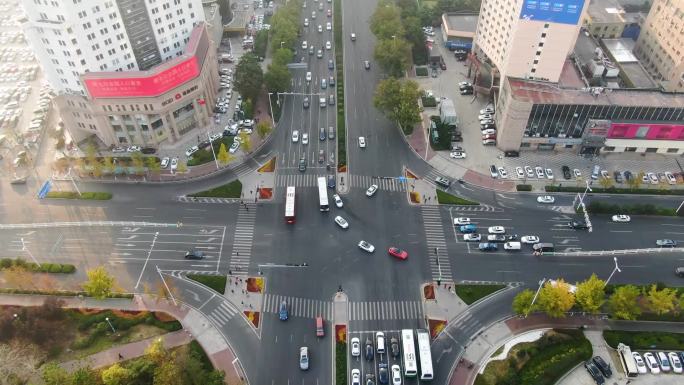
(398, 100)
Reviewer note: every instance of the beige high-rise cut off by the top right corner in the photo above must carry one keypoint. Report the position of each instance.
(661, 43)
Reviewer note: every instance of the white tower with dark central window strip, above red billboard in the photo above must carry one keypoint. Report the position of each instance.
(72, 37)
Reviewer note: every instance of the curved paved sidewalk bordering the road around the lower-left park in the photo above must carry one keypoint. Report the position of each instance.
(195, 323)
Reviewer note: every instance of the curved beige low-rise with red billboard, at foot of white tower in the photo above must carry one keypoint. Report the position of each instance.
(147, 107)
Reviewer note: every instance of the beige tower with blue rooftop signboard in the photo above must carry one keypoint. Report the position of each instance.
(528, 38)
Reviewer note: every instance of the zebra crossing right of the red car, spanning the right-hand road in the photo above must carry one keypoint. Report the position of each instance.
(436, 242)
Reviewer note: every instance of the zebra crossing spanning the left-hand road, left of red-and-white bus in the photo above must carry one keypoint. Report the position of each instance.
(241, 253)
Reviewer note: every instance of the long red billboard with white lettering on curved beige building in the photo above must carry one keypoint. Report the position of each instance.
(143, 86)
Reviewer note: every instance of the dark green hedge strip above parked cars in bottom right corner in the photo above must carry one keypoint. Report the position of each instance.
(645, 340)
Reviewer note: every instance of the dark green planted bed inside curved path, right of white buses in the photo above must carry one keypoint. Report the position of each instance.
(541, 362)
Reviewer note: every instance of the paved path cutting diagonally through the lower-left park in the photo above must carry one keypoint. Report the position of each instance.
(127, 351)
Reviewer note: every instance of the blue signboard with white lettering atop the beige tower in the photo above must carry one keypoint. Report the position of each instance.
(560, 11)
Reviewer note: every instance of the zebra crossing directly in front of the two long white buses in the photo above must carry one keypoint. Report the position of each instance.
(385, 310)
